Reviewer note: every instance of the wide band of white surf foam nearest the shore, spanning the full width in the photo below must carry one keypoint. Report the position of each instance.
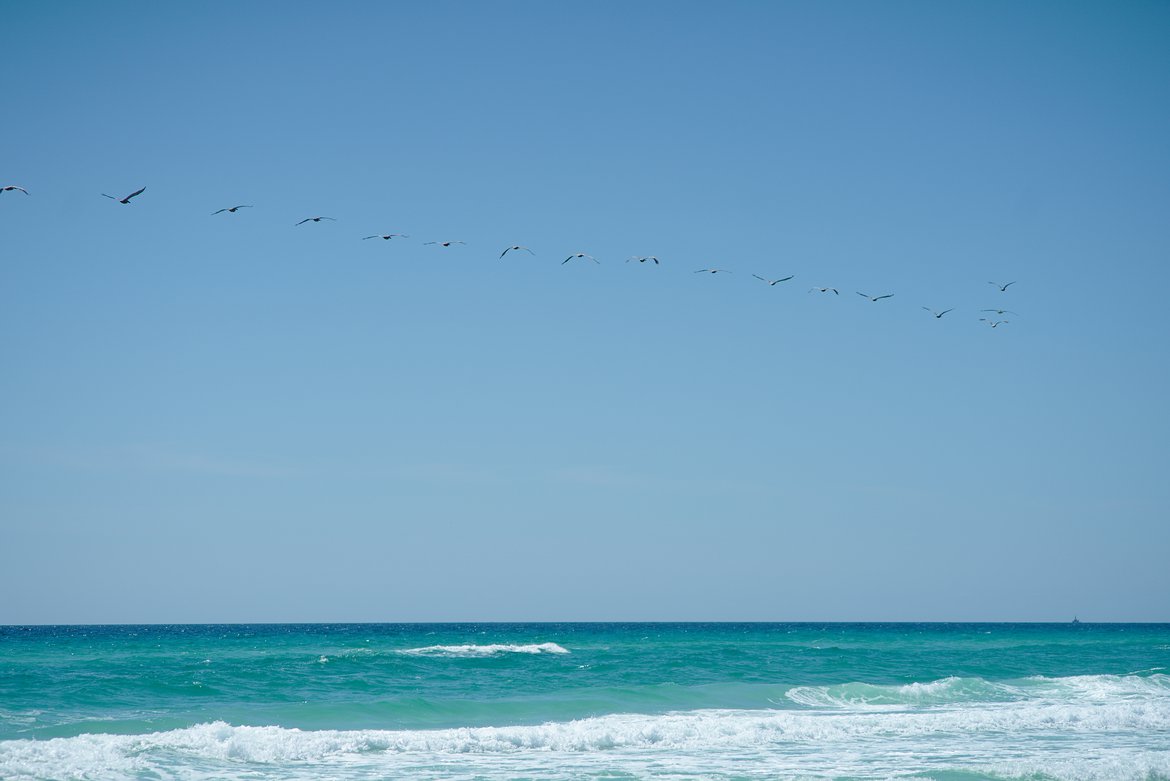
(1125, 739)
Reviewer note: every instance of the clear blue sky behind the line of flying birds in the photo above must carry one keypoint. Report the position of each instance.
(236, 419)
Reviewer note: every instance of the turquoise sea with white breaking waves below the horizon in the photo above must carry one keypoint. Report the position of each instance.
(587, 702)
